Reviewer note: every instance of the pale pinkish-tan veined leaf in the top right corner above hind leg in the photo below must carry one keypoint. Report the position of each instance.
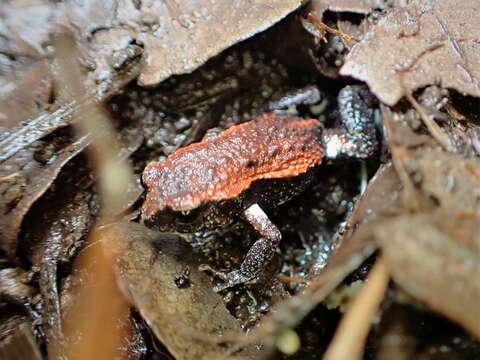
(429, 41)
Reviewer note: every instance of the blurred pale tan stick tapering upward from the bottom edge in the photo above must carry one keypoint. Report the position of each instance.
(350, 337)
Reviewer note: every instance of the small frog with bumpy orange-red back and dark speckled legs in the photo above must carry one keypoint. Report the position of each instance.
(249, 167)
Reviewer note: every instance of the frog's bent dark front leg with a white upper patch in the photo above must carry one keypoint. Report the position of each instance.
(258, 256)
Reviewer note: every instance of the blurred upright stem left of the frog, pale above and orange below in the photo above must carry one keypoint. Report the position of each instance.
(99, 305)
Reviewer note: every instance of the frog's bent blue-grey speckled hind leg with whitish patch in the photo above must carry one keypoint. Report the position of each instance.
(357, 137)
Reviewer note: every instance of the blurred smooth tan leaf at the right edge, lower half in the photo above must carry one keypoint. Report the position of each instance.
(436, 259)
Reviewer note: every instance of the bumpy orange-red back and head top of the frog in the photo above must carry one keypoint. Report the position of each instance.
(268, 147)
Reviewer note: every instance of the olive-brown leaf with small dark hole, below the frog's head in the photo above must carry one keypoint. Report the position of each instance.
(184, 318)
